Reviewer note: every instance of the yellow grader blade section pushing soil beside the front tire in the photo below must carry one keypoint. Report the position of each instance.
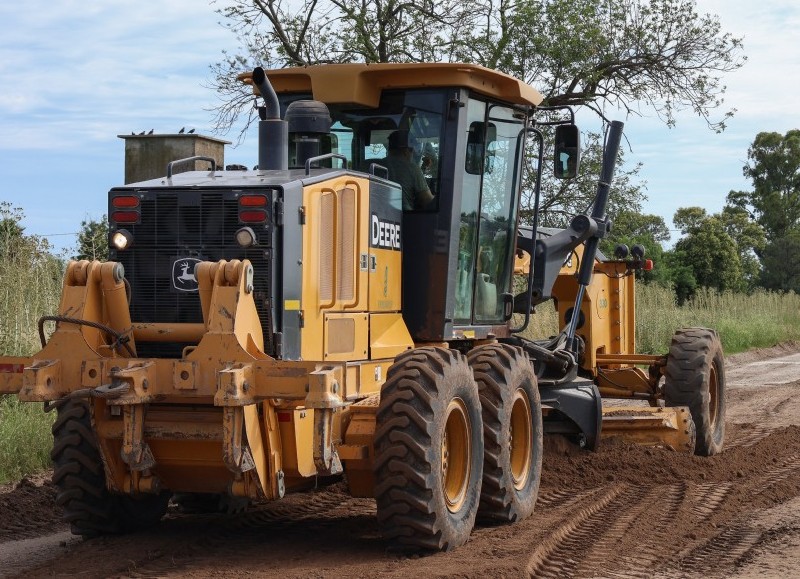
(668, 427)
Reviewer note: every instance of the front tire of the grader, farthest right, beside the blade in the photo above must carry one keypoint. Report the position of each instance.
(695, 377)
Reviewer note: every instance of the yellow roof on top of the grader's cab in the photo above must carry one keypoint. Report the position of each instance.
(362, 84)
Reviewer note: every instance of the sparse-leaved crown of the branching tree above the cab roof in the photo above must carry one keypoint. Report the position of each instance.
(660, 53)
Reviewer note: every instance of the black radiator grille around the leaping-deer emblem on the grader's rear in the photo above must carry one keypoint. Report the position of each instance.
(188, 224)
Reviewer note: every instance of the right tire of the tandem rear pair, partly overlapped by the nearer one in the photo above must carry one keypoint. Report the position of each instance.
(512, 432)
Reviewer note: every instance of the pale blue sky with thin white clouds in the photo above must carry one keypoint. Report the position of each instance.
(75, 74)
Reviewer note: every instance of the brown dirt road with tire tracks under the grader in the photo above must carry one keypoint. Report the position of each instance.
(624, 511)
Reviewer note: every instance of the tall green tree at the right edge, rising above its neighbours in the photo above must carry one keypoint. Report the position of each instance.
(774, 168)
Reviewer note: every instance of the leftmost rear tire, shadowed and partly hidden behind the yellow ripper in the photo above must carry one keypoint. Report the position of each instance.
(89, 508)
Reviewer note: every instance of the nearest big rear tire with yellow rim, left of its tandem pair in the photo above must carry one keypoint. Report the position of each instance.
(428, 451)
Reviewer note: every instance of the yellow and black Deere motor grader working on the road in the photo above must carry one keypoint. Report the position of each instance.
(257, 332)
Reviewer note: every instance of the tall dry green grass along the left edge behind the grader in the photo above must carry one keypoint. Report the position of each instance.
(30, 287)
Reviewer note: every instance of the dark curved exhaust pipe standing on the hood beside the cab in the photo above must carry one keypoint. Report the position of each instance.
(273, 132)
